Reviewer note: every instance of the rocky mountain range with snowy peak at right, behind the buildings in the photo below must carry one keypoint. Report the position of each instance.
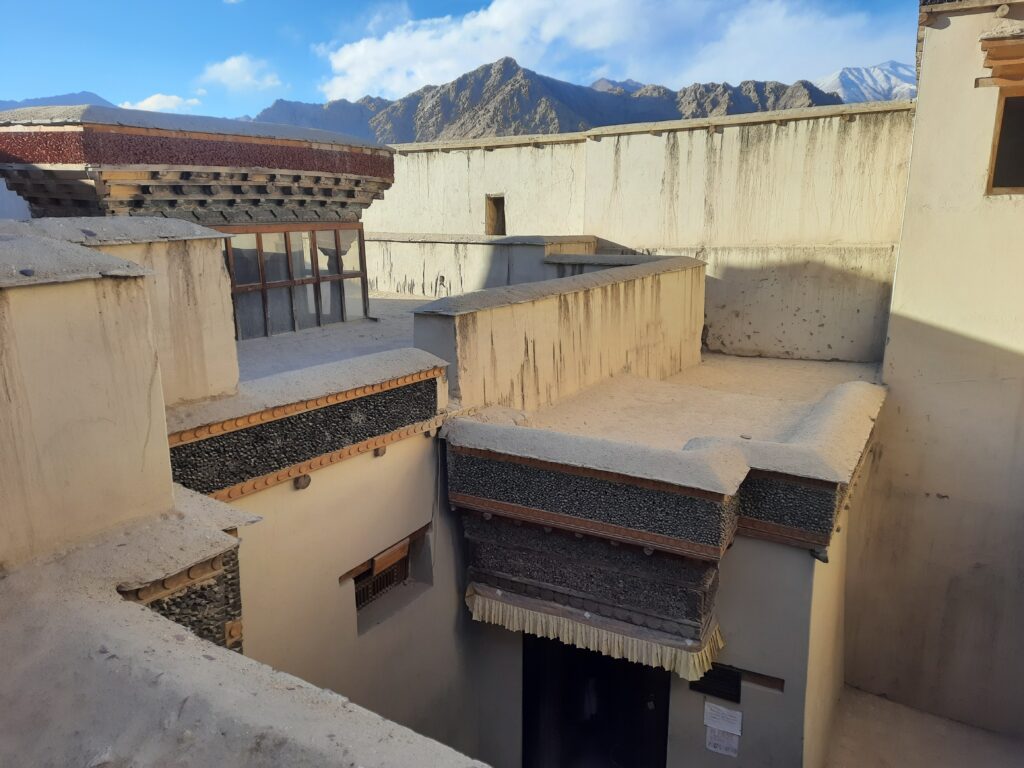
(504, 99)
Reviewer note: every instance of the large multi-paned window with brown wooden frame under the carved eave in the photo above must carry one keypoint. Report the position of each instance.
(293, 277)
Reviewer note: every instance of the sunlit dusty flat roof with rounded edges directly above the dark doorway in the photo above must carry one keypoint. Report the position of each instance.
(803, 418)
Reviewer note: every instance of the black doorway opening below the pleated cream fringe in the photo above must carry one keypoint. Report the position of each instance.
(584, 710)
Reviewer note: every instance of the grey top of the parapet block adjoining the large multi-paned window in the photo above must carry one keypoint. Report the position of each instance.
(97, 231)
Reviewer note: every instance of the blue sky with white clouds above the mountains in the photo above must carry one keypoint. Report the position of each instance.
(230, 58)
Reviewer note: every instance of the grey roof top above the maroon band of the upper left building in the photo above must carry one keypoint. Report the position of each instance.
(195, 123)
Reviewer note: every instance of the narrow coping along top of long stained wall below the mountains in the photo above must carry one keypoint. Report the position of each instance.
(596, 135)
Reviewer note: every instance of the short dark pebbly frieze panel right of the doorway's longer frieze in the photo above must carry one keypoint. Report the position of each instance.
(808, 510)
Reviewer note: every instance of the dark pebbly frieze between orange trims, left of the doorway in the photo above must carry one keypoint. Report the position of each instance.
(223, 461)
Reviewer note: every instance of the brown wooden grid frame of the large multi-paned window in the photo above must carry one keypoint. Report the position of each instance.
(317, 231)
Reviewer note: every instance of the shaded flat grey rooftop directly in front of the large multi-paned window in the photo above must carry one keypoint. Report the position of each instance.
(393, 329)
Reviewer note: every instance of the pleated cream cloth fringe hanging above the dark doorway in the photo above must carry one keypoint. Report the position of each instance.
(584, 630)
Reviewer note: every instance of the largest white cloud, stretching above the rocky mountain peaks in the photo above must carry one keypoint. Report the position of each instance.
(671, 42)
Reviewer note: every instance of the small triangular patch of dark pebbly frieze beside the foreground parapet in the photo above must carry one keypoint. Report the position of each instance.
(206, 608)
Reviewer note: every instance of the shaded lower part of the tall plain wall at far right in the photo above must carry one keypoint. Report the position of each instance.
(936, 583)
